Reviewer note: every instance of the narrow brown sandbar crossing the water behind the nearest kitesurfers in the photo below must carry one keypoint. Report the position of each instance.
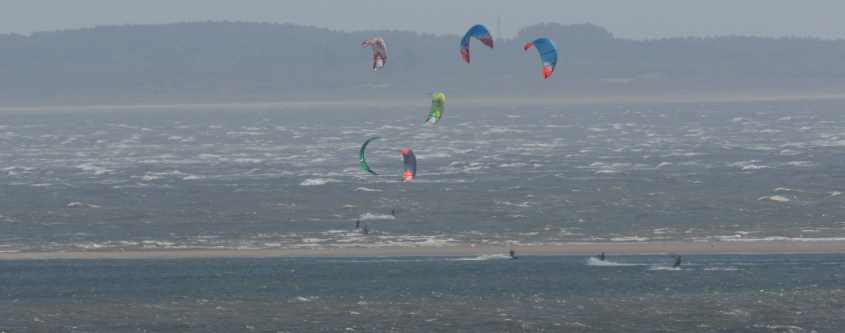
(565, 249)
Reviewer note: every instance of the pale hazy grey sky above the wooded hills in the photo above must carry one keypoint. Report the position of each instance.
(625, 18)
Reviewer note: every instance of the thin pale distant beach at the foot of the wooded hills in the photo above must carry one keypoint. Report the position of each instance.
(672, 98)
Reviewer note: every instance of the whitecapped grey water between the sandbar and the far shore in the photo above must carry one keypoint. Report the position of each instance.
(288, 178)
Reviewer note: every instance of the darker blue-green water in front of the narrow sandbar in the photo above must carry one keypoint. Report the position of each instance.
(798, 293)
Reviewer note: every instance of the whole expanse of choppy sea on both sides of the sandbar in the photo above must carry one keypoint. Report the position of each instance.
(287, 176)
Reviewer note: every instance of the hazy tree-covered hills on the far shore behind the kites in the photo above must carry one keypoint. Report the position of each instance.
(225, 61)
